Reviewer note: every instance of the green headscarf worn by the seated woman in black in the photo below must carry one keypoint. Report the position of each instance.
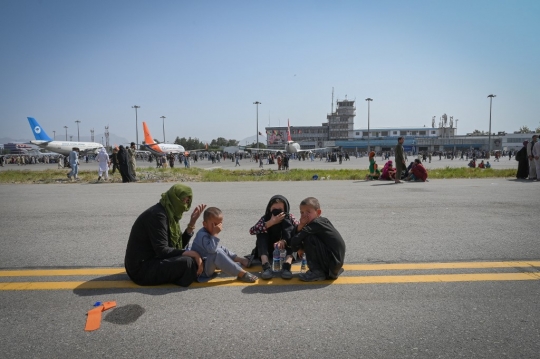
(173, 202)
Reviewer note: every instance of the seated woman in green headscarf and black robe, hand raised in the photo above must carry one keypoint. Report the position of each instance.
(155, 253)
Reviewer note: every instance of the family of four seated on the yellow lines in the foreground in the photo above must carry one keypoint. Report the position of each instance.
(158, 253)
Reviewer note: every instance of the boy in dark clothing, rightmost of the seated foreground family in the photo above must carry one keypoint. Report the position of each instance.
(320, 241)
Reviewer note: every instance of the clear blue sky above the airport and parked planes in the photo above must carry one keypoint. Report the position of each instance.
(202, 65)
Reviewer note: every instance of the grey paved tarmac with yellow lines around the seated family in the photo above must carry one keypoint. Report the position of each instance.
(448, 268)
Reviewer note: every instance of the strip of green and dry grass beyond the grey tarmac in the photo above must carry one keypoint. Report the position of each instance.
(149, 175)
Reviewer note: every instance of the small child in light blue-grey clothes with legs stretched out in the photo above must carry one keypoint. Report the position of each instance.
(214, 255)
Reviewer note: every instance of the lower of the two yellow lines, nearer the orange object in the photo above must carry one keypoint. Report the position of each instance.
(430, 278)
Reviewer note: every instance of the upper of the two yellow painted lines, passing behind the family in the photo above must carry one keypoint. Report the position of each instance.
(347, 267)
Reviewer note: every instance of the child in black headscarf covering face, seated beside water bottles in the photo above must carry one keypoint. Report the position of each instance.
(277, 226)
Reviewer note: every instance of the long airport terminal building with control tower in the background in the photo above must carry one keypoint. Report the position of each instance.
(339, 131)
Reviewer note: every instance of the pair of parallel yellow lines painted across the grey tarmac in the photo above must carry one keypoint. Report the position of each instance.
(532, 273)
